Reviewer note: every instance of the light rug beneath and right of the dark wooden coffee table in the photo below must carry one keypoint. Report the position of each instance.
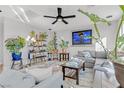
(85, 80)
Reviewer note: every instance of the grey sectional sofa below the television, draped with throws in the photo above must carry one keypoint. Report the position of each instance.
(104, 74)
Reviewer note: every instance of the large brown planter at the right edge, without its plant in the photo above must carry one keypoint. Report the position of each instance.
(119, 72)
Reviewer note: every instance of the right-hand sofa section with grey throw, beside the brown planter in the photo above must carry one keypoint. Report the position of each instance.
(104, 77)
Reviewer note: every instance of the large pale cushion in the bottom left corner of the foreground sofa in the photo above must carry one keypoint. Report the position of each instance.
(15, 79)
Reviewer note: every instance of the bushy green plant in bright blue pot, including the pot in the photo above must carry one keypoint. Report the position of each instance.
(14, 46)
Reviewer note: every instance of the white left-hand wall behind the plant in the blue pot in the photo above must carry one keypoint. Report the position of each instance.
(13, 28)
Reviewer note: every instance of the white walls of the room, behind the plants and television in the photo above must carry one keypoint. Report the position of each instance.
(14, 28)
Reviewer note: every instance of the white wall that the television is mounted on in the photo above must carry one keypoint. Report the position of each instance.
(106, 31)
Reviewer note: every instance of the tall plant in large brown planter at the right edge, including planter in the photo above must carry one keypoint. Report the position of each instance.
(119, 44)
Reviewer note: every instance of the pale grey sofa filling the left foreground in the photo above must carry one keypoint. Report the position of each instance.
(16, 79)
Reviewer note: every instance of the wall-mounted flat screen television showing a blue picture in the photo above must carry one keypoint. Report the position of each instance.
(82, 37)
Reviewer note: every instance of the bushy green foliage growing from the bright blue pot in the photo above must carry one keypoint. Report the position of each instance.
(14, 45)
